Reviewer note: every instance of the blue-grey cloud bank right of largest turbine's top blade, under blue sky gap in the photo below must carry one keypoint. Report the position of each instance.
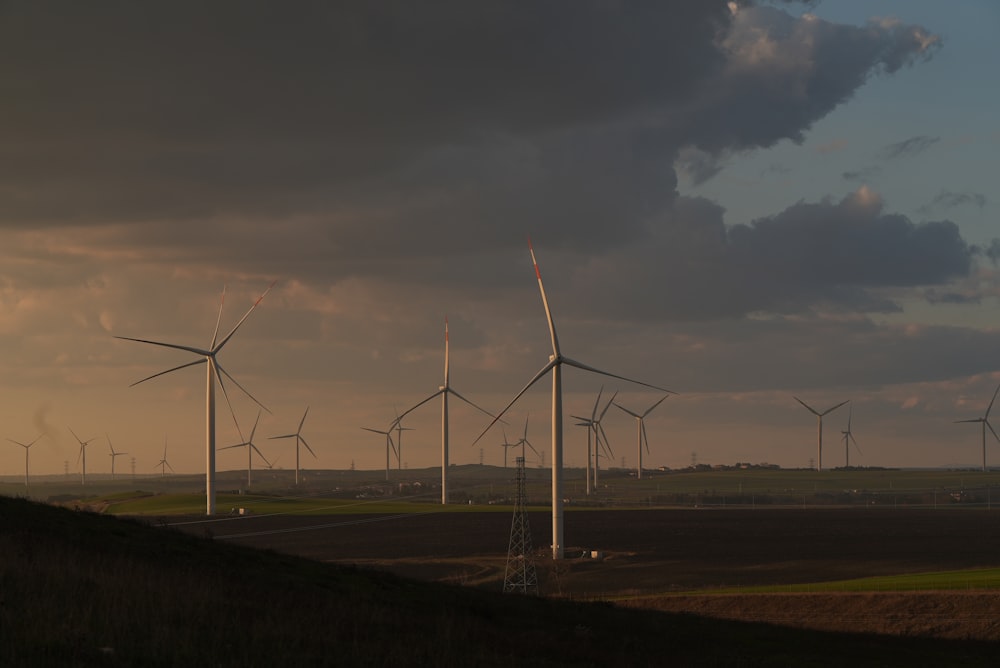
(825, 256)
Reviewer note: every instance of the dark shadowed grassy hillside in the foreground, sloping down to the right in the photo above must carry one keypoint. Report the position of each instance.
(80, 589)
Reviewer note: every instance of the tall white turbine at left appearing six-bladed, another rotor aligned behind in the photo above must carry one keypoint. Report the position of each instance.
(213, 370)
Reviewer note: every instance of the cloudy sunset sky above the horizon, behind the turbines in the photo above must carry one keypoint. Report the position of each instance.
(740, 202)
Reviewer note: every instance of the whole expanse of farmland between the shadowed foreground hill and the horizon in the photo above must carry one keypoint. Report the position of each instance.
(893, 552)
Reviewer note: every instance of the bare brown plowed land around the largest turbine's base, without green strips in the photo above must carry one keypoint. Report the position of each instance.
(659, 551)
